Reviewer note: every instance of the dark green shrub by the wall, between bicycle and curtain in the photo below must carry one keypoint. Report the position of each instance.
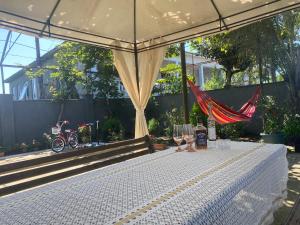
(112, 130)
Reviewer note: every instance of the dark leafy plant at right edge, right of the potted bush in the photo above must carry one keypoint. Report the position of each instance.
(292, 130)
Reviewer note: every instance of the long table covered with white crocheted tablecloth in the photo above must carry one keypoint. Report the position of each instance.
(240, 185)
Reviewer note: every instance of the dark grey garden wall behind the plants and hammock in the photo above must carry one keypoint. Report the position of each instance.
(23, 121)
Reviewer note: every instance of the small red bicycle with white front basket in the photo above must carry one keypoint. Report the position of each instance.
(61, 139)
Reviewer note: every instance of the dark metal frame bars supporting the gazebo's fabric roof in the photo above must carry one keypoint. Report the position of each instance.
(223, 26)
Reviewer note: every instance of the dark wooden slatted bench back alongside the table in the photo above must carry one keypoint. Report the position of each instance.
(26, 174)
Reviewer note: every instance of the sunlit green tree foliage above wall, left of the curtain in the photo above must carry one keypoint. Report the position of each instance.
(80, 64)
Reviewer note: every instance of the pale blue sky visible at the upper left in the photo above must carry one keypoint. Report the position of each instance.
(23, 52)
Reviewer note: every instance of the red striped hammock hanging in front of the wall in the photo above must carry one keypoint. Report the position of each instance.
(222, 113)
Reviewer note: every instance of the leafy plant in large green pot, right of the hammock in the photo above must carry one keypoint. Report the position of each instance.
(273, 116)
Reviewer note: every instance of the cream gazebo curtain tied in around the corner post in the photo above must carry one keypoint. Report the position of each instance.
(149, 63)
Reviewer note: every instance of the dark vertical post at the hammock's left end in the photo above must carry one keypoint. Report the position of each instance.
(184, 81)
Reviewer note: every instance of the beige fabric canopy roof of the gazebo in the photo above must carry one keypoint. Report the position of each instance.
(102, 22)
